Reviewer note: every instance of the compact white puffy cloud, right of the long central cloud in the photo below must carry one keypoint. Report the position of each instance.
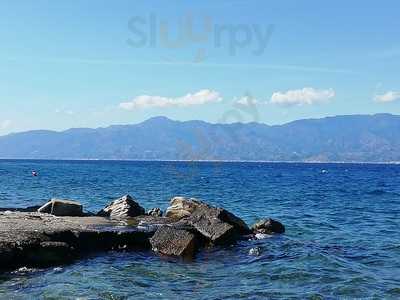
(305, 96)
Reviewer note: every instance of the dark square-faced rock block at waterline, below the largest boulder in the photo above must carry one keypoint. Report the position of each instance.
(173, 241)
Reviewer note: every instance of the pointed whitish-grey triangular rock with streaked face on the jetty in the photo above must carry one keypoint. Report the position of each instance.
(123, 207)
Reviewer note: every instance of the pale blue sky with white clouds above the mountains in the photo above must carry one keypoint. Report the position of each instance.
(97, 63)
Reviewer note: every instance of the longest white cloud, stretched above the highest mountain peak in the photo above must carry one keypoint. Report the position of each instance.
(146, 101)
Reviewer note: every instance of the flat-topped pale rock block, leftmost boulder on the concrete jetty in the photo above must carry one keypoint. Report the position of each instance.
(58, 207)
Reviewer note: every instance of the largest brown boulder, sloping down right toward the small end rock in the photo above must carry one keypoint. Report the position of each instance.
(216, 224)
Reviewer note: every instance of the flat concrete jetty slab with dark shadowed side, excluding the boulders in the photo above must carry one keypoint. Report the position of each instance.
(35, 239)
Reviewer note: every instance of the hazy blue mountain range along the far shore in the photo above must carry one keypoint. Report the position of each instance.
(355, 138)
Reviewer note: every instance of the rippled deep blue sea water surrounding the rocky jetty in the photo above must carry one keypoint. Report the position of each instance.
(342, 236)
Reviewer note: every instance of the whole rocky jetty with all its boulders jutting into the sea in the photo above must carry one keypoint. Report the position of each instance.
(58, 232)
